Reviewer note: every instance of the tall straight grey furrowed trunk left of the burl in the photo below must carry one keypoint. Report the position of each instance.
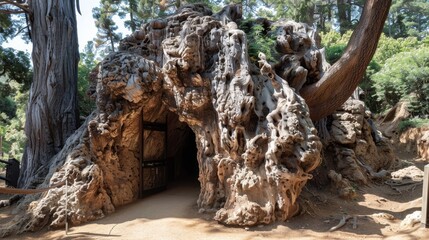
(52, 113)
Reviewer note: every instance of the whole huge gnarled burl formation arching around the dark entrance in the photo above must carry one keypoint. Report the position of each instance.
(256, 142)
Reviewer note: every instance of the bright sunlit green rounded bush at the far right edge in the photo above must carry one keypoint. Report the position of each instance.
(405, 76)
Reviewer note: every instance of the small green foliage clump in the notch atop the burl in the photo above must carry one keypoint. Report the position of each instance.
(259, 39)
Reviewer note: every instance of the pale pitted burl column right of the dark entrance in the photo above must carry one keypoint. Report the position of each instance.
(256, 143)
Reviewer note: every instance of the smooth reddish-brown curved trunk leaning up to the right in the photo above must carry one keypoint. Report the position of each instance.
(339, 82)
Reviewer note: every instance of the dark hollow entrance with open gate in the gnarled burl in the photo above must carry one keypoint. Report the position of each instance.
(169, 154)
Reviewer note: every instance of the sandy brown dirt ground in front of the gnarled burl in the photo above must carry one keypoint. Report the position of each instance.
(376, 213)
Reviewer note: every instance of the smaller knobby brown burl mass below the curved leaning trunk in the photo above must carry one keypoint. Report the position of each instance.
(354, 150)
